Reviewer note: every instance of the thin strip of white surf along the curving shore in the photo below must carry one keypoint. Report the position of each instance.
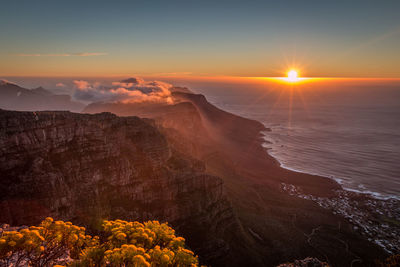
(372, 194)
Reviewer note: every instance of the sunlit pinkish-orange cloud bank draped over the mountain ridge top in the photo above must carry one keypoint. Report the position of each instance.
(127, 92)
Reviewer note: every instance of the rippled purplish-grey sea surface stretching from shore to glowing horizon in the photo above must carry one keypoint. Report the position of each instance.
(349, 131)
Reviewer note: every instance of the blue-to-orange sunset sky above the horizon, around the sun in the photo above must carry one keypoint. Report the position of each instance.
(200, 38)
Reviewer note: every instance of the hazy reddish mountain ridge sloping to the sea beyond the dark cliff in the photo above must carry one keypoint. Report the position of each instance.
(280, 225)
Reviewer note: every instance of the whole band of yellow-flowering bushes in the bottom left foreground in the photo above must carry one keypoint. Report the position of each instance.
(121, 243)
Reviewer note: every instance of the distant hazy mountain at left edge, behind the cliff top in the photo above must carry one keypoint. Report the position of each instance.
(14, 97)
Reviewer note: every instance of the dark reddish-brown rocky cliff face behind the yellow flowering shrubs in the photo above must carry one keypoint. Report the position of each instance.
(85, 168)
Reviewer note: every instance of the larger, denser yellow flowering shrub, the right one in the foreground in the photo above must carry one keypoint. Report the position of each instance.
(139, 244)
